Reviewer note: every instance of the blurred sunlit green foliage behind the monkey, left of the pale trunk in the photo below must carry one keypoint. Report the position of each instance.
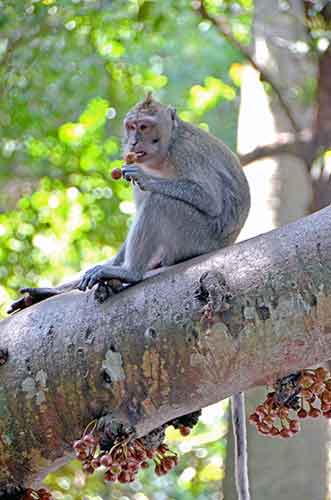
(70, 70)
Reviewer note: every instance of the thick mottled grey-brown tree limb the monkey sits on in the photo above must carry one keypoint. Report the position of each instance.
(205, 329)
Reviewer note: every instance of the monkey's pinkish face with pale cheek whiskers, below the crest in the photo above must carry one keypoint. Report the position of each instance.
(148, 136)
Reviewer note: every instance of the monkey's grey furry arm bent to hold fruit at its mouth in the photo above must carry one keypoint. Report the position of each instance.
(179, 188)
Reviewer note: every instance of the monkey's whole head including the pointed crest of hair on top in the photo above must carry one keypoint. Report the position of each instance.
(147, 132)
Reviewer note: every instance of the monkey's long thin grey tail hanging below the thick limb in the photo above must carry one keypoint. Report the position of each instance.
(240, 445)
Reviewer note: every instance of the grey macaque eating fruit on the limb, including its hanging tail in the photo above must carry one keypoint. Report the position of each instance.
(191, 196)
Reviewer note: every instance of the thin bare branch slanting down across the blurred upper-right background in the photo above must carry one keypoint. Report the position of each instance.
(223, 27)
